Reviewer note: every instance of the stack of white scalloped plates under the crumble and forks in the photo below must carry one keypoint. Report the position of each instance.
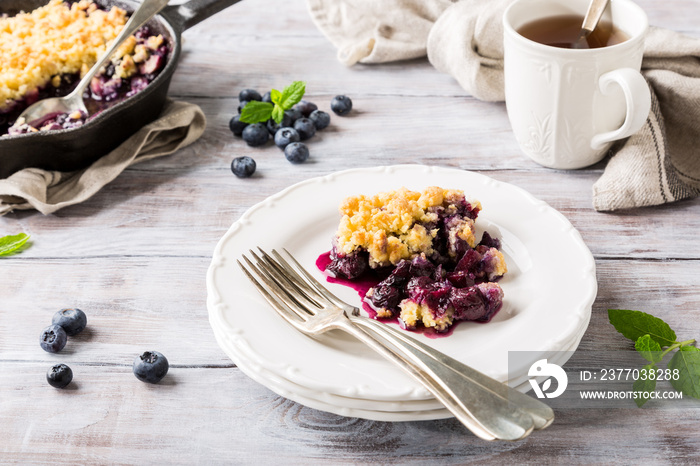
(549, 291)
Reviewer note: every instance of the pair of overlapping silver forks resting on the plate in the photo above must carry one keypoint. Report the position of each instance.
(490, 409)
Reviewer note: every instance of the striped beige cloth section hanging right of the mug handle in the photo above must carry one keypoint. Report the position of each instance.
(661, 163)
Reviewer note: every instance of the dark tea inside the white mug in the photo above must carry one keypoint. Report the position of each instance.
(564, 32)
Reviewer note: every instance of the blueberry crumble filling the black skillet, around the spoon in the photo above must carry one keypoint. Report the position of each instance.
(44, 53)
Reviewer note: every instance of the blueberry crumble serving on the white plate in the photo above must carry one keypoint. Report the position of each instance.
(421, 246)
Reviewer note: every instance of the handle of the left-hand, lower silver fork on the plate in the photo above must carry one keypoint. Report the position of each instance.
(482, 411)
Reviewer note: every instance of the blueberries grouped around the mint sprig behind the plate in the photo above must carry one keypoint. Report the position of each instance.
(298, 124)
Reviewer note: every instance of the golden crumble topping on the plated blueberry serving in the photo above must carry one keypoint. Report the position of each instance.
(400, 224)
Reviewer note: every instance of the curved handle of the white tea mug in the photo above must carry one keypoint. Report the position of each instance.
(638, 98)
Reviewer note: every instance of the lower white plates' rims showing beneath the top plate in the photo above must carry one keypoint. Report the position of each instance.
(390, 411)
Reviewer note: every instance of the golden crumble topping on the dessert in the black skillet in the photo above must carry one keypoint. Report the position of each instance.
(52, 40)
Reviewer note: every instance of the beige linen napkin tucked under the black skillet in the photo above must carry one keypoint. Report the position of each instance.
(179, 125)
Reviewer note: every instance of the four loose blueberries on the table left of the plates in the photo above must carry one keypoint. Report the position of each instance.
(150, 366)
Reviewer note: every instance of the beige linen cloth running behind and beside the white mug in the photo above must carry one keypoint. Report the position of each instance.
(657, 165)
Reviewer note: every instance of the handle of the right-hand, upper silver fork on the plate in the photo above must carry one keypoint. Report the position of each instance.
(541, 414)
